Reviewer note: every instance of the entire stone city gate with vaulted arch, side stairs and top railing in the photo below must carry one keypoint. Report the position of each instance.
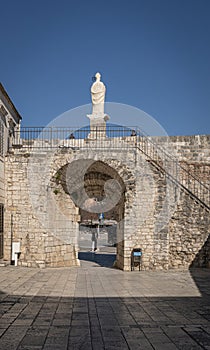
(162, 184)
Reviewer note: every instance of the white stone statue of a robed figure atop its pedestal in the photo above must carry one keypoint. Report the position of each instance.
(98, 91)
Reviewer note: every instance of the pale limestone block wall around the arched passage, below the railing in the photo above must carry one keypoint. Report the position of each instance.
(171, 227)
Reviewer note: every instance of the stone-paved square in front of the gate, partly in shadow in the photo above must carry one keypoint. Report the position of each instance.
(98, 307)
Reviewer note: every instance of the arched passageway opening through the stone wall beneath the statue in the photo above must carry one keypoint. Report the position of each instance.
(98, 191)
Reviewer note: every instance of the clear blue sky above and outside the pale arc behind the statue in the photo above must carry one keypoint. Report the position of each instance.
(152, 54)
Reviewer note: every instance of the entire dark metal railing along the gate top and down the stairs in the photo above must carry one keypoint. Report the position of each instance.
(115, 137)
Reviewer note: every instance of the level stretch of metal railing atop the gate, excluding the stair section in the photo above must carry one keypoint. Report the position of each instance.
(53, 137)
